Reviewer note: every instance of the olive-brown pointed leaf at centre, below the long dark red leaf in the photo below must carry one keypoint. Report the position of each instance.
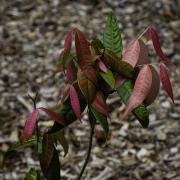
(87, 88)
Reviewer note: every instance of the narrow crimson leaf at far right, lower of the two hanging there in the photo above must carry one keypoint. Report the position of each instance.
(166, 82)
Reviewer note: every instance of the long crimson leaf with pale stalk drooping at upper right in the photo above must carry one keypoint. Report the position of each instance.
(150, 33)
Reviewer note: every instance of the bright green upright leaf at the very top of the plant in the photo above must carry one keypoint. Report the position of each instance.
(112, 36)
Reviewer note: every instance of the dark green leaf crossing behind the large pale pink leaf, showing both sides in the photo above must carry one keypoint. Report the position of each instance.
(141, 113)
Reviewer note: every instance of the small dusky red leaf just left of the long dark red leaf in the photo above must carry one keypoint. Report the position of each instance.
(71, 72)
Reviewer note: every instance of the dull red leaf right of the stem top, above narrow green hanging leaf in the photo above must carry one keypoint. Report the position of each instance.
(100, 105)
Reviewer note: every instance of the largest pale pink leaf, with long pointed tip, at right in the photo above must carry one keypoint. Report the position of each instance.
(141, 89)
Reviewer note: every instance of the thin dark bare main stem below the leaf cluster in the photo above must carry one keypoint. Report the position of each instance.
(92, 125)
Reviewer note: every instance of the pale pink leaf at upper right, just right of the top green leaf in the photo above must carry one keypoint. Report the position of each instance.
(131, 54)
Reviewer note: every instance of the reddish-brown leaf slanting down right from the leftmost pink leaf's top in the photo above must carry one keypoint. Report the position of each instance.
(54, 115)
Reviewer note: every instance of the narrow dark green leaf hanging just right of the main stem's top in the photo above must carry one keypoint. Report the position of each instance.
(102, 120)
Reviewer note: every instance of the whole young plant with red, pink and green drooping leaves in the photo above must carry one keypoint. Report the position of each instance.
(93, 71)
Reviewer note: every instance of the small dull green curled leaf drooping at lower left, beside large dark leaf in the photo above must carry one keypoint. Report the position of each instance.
(60, 137)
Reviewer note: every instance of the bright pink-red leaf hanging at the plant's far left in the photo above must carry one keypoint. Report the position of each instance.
(30, 125)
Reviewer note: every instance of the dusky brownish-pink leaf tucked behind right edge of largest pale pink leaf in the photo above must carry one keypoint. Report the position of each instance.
(154, 87)
